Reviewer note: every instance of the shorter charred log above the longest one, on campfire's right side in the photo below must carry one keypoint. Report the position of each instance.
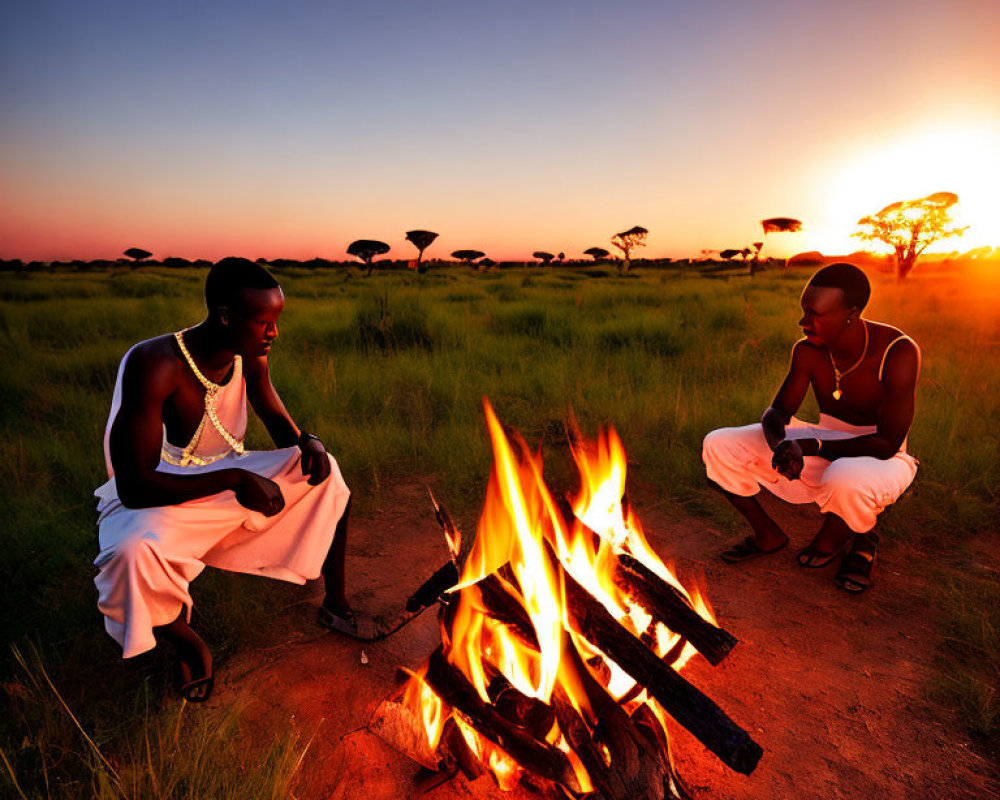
(672, 608)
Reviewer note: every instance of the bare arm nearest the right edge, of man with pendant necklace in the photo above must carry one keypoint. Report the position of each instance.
(895, 414)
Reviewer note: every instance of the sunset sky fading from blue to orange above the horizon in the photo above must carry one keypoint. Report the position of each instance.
(205, 129)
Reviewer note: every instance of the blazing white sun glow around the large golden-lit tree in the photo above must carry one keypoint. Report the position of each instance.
(964, 159)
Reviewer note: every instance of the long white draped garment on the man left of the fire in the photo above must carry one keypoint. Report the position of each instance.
(150, 555)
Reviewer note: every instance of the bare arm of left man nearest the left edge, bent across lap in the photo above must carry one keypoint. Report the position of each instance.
(137, 437)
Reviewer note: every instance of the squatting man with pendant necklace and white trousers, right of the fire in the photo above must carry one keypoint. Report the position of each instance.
(853, 462)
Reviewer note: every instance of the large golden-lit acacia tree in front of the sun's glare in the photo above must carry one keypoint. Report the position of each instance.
(910, 226)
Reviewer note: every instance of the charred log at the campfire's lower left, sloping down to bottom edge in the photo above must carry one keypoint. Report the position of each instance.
(543, 759)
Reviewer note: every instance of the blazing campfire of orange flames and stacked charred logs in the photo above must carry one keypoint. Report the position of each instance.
(562, 639)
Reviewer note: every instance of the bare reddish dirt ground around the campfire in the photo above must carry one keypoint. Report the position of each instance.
(834, 687)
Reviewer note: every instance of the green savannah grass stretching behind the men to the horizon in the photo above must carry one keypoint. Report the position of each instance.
(390, 372)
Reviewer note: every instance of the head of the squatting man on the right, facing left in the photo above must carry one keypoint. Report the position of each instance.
(833, 301)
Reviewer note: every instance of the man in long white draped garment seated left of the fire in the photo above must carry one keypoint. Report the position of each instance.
(184, 494)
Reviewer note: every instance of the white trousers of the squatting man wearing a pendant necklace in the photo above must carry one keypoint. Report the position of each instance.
(857, 489)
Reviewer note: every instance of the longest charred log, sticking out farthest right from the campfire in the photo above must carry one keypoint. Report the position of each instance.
(695, 711)
